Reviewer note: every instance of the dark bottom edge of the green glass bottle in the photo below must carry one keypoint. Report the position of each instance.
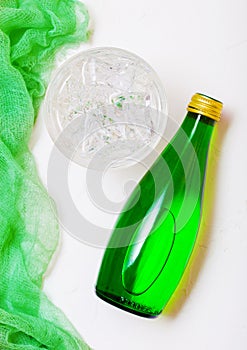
(127, 305)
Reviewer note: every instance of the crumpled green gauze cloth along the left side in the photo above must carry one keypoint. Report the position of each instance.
(30, 33)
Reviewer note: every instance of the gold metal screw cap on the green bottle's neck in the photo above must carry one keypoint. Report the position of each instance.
(205, 105)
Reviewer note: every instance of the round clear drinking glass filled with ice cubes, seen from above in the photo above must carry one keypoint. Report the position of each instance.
(105, 107)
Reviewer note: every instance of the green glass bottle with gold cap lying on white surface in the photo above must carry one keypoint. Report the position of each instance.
(155, 234)
